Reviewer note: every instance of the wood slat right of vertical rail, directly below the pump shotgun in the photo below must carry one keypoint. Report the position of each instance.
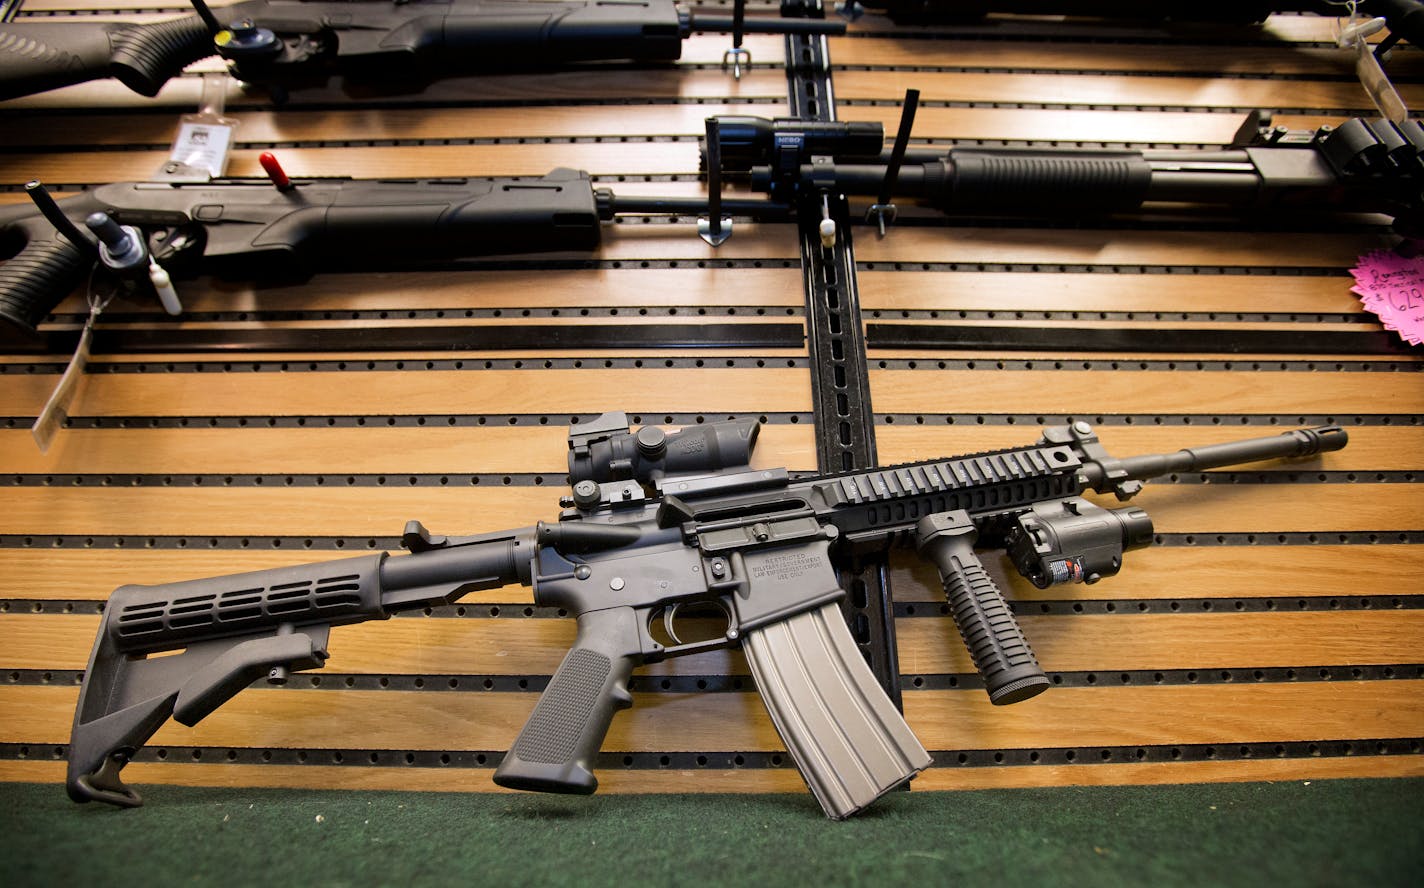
(1066, 247)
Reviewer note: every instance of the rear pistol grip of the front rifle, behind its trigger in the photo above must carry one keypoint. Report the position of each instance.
(557, 748)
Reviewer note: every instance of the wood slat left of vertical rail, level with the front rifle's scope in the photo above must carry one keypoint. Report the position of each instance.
(518, 449)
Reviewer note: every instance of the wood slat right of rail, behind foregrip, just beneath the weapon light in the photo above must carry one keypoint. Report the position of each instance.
(1210, 573)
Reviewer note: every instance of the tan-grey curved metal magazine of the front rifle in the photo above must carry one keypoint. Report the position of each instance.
(847, 736)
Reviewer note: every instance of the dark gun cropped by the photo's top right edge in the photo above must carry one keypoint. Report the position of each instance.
(1406, 18)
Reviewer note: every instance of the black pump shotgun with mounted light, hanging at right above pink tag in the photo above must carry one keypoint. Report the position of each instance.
(1362, 166)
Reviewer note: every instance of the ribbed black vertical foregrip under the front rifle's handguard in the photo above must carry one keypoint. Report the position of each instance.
(998, 645)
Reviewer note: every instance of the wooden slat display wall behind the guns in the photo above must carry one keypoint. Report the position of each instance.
(1274, 634)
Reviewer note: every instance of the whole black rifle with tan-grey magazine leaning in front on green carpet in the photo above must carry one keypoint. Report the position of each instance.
(659, 523)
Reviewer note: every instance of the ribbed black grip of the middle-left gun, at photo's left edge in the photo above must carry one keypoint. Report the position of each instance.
(46, 270)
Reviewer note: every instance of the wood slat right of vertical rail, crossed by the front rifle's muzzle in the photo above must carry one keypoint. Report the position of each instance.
(1371, 448)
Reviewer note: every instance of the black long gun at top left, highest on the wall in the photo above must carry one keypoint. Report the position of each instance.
(291, 42)
